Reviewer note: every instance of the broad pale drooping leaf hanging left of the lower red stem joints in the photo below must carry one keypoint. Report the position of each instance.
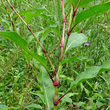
(48, 88)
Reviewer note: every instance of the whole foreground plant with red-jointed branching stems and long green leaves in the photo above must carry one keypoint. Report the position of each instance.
(72, 40)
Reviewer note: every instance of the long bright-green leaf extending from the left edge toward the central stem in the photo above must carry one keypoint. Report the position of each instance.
(24, 45)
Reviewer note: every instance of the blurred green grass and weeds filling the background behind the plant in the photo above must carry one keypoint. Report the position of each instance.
(21, 85)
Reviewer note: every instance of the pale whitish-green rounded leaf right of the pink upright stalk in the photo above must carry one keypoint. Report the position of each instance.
(76, 39)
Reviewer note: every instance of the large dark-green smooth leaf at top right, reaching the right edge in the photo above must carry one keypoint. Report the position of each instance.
(95, 10)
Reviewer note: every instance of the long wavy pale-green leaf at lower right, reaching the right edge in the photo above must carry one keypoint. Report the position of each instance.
(91, 73)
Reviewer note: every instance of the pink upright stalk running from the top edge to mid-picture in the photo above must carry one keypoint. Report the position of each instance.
(63, 34)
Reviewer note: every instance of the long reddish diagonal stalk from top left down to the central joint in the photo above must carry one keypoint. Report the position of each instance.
(43, 49)
